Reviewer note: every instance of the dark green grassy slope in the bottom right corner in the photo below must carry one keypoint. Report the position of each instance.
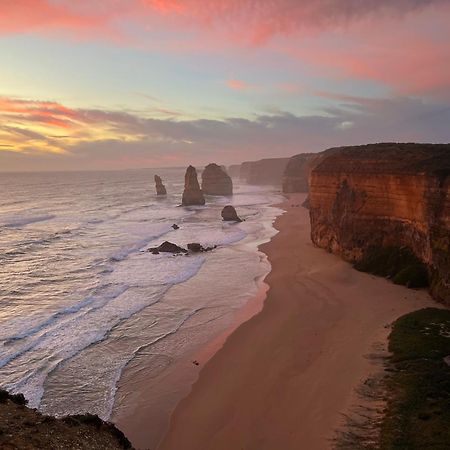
(417, 416)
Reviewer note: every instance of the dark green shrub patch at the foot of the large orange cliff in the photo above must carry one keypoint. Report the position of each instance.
(398, 264)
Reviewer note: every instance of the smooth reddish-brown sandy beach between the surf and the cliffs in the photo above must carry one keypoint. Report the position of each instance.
(284, 377)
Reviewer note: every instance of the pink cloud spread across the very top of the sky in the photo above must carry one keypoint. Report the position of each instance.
(385, 41)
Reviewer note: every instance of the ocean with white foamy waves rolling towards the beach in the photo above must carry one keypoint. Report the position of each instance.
(81, 297)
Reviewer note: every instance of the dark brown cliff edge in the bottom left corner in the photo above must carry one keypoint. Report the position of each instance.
(27, 429)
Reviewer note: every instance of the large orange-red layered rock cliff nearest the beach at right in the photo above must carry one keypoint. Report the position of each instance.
(386, 203)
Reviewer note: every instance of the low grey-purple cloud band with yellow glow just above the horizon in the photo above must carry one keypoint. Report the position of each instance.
(113, 139)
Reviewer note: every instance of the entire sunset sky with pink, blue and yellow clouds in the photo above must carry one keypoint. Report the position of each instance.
(124, 84)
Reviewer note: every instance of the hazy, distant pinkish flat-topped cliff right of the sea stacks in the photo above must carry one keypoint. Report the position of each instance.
(264, 171)
